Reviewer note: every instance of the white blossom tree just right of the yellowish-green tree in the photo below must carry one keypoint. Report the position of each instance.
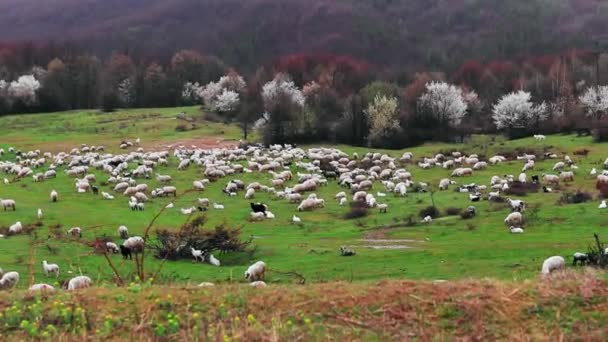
(446, 102)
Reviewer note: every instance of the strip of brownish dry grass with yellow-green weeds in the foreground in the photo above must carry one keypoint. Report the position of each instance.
(568, 306)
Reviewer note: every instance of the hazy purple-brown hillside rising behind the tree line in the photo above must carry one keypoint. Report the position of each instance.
(432, 33)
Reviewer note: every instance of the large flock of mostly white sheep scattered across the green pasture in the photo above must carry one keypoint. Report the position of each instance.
(128, 173)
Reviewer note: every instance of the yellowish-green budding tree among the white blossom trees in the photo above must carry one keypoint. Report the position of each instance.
(383, 118)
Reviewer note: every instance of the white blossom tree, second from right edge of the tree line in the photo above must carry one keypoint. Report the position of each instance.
(516, 110)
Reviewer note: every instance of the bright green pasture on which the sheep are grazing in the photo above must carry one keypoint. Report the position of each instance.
(392, 245)
